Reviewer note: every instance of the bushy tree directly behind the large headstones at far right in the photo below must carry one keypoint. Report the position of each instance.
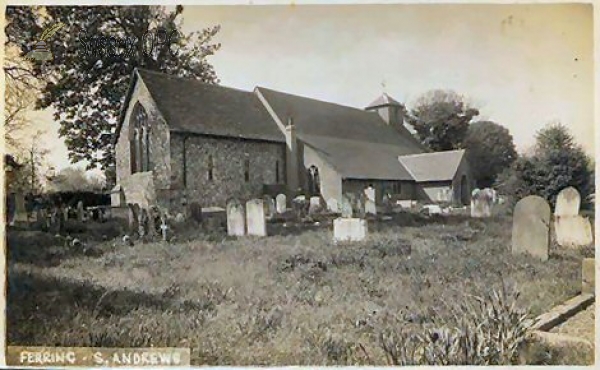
(557, 162)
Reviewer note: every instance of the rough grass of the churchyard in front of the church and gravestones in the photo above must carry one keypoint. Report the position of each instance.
(294, 298)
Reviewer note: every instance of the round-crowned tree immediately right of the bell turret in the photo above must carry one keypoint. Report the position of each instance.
(441, 119)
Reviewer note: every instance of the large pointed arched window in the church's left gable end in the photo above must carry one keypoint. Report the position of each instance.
(139, 139)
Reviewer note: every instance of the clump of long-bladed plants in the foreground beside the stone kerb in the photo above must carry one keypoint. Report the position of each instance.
(486, 331)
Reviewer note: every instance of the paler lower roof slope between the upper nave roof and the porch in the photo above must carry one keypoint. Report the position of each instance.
(360, 160)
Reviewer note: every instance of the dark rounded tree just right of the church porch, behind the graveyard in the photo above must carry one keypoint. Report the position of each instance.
(490, 150)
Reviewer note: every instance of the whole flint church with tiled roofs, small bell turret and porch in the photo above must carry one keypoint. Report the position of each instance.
(179, 140)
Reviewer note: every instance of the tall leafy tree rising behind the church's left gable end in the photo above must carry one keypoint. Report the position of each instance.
(94, 54)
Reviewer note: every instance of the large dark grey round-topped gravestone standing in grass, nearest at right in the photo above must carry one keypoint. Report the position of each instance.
(531, 227)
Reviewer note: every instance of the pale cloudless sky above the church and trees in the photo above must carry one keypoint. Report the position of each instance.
(522, 66)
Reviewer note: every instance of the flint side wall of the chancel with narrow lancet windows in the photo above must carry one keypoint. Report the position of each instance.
(228, 174)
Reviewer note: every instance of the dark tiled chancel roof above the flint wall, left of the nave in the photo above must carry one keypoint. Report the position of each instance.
(193, 106)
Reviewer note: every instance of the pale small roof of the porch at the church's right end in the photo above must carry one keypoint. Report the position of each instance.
(438, 166)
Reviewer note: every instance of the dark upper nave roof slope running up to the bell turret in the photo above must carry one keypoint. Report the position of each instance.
(318, 118)
